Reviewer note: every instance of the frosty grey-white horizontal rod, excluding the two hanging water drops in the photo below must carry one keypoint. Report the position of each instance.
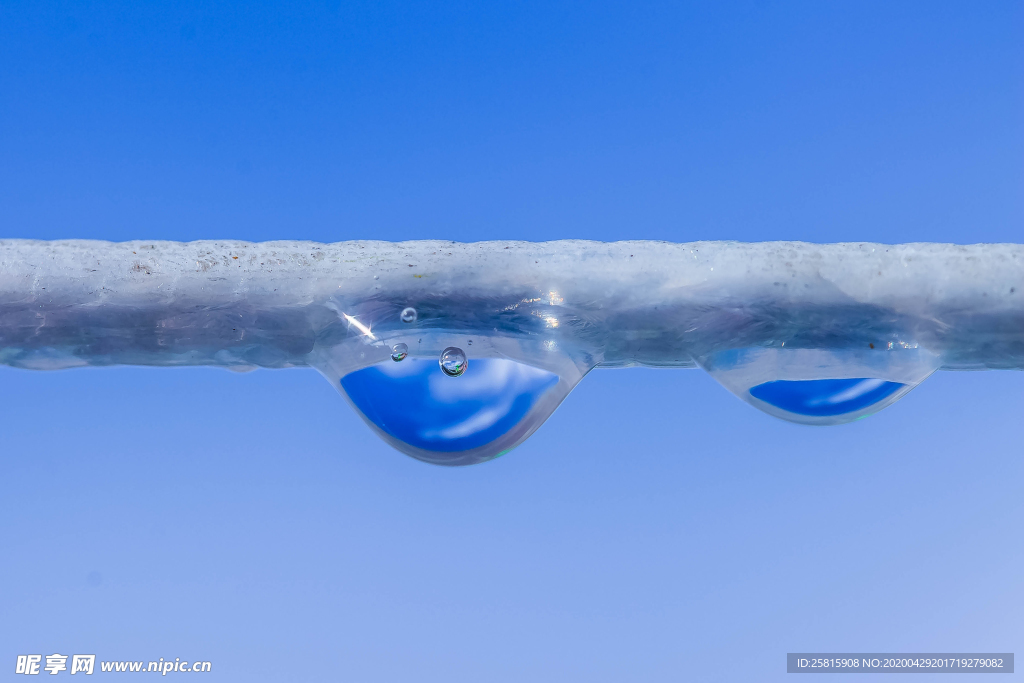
(236, 304)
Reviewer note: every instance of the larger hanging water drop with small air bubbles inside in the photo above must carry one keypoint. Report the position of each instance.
(419, 392)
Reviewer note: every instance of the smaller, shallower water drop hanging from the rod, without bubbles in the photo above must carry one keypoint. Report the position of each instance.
(818, 387)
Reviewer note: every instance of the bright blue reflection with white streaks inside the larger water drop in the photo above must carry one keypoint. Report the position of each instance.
(417, 404)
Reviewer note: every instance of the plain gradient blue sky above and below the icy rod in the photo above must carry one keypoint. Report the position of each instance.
(656, 529)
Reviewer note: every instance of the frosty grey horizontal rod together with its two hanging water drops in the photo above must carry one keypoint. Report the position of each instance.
(820, 334)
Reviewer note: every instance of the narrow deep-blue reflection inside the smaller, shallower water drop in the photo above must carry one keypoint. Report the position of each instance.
(826, 398)
